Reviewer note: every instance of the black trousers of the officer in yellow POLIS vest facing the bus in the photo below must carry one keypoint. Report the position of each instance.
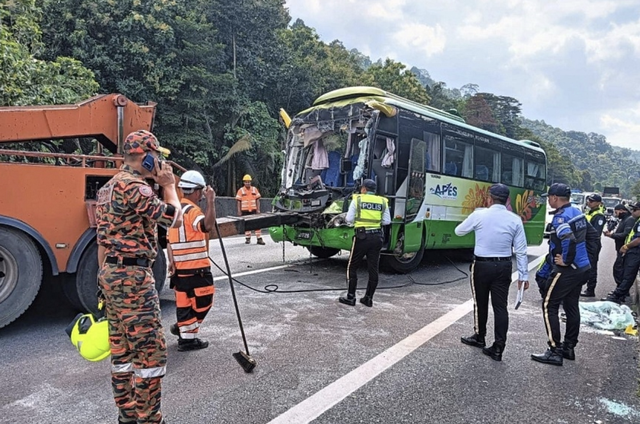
(370, 247)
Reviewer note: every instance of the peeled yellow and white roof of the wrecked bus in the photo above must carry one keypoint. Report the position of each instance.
(345, 96)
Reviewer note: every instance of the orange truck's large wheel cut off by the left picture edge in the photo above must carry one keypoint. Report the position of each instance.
(20, 274)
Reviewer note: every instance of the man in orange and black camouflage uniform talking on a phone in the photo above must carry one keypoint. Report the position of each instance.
(128, 212)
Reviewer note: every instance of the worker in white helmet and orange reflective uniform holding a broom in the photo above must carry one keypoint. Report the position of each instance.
(189, 261)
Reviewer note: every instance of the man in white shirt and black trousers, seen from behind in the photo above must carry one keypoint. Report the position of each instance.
(499, 233)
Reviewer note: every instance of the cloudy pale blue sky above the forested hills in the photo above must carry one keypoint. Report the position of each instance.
(574, 64)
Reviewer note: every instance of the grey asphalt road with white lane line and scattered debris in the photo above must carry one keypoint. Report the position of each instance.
(319, 361)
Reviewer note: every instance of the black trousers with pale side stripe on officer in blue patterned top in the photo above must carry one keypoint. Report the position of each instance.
(562, 288)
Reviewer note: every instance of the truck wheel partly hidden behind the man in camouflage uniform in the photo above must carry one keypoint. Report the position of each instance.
(87, 276)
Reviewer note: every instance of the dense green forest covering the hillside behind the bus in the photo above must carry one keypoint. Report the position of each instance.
(220, 70)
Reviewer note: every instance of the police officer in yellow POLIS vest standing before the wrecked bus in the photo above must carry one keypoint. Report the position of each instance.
(368, 212)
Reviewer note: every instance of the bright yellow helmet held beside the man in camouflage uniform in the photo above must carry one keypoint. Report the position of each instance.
(90, 337)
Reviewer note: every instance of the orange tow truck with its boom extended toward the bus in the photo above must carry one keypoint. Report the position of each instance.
(47, 199)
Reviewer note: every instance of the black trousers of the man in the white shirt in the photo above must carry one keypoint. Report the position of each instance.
(491, 278)
